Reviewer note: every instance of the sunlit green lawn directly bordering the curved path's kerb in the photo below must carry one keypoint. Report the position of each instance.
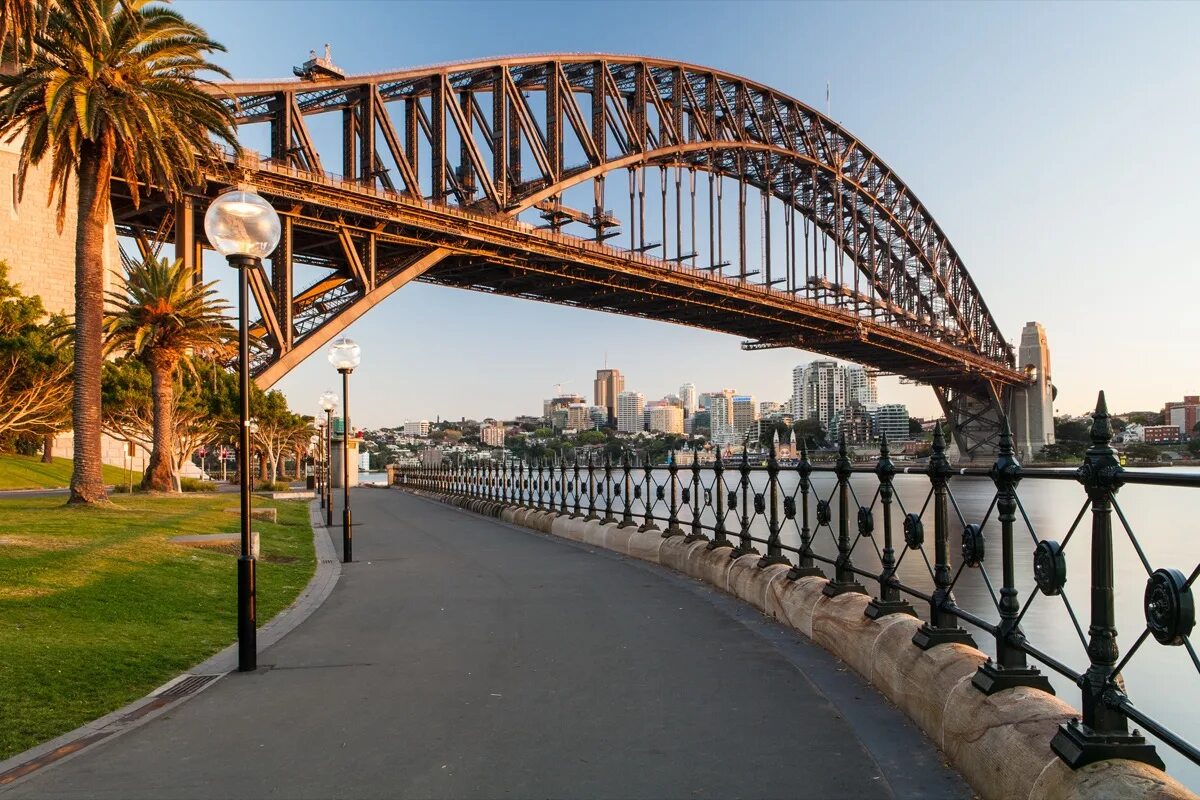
(98, 607)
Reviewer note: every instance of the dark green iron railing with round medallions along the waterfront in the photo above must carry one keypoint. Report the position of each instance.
(853, 525)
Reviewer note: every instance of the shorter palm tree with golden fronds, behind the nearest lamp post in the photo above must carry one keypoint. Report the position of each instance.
(163, 318)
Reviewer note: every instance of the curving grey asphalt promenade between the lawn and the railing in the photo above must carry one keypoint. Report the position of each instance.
(464, 658)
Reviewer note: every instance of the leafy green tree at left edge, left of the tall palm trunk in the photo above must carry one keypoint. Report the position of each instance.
(35, 370)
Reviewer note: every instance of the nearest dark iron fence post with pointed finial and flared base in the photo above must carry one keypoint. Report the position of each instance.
(1105, 731)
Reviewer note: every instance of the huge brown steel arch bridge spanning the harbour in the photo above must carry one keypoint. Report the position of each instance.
(749, 213)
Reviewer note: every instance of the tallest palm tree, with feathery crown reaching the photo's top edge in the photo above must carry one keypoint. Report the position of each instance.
(110, 88)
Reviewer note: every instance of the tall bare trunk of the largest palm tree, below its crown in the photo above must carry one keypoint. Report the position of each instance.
(95, 170)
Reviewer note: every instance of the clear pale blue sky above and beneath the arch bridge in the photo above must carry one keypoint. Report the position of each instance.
(1055, 143)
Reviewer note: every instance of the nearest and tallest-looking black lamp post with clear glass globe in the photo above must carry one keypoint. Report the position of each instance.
(244, 228)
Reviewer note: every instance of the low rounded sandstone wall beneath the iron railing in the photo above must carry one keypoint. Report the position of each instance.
(999, 743)
